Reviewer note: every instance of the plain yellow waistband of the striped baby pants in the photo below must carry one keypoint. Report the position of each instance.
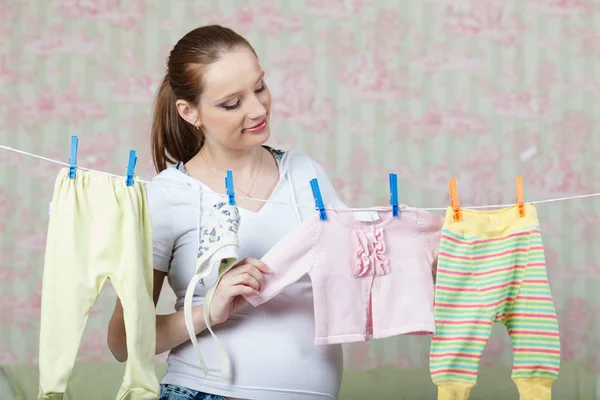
(491, 223)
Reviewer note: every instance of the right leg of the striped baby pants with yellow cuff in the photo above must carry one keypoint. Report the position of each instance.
(532, 325)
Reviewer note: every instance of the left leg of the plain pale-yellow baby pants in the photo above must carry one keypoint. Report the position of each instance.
(70, 284)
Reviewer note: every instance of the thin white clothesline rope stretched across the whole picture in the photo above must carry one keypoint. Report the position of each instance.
(582, 196)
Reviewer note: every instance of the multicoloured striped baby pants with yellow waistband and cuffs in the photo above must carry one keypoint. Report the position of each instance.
(491, 268)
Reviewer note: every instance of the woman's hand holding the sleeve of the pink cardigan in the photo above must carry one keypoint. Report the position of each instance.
(243, 279)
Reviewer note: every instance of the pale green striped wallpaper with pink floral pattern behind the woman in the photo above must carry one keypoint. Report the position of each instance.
(480, 90)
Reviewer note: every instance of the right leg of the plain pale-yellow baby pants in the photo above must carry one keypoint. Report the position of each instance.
(133, 282)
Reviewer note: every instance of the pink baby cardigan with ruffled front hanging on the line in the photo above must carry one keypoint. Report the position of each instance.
(368, 278)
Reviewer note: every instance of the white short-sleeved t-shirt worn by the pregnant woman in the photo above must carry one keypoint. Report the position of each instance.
(271, 347)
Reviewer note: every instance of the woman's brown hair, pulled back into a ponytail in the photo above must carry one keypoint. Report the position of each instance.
(174, 139)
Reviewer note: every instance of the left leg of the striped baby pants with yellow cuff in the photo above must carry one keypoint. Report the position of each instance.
(463, 324)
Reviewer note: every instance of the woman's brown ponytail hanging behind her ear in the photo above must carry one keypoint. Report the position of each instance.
(173, 139)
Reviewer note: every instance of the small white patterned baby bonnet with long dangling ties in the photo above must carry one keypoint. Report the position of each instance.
(218, 248)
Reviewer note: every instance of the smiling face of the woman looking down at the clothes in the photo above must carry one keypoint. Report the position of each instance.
(234, 106)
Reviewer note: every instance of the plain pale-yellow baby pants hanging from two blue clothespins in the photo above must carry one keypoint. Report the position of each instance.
(99, 229)
